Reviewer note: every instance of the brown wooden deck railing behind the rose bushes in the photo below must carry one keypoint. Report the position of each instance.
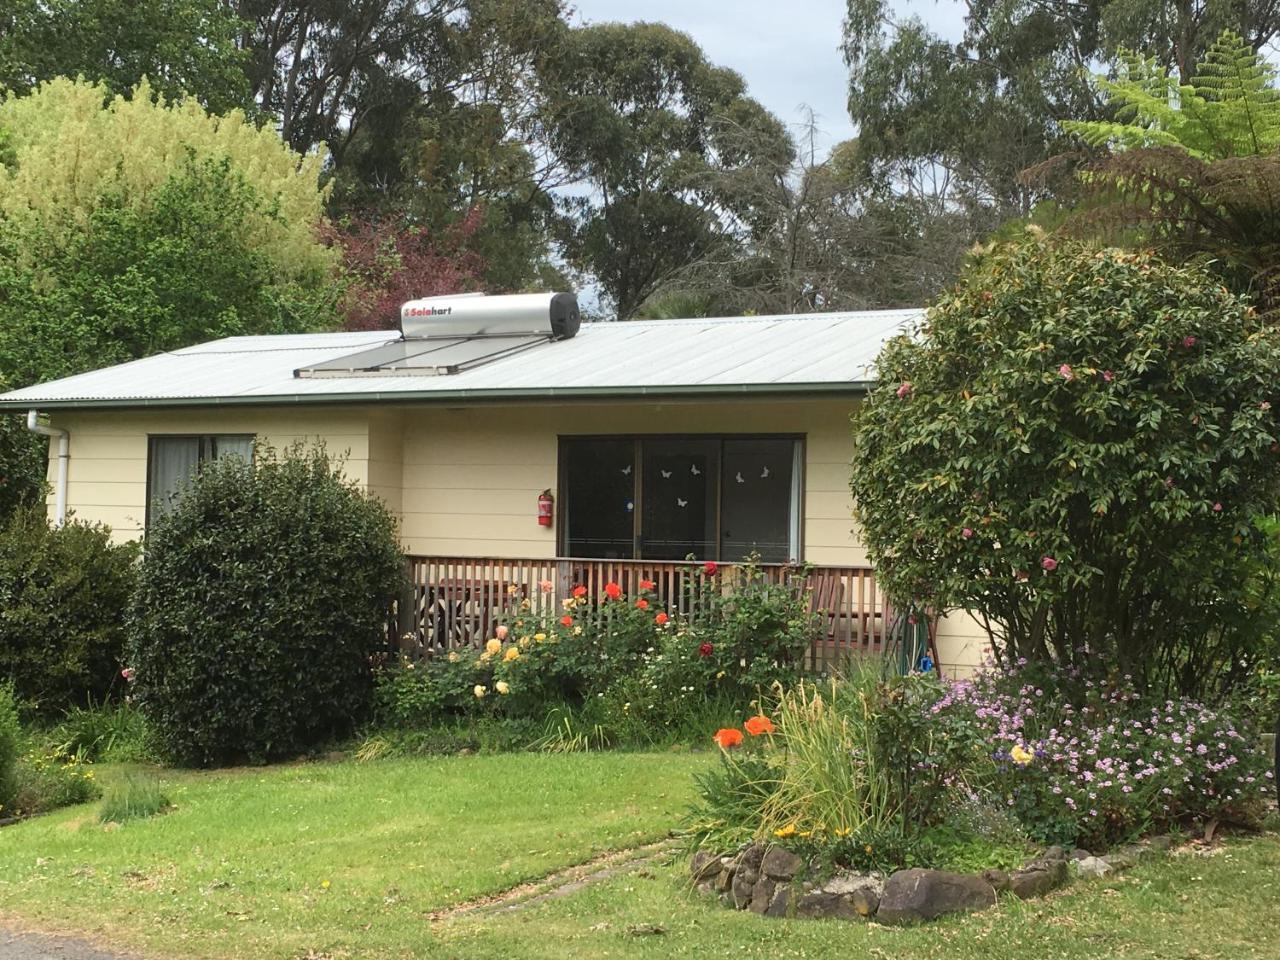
(458, 602)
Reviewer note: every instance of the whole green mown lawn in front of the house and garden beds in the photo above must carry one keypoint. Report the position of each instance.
(348, 861)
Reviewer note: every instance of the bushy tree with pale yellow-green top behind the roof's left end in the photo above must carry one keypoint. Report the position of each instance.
(131, 226)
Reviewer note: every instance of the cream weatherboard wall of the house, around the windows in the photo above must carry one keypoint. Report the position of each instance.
(465, 481)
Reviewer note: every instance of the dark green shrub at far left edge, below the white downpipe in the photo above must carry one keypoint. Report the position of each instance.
(65, 595)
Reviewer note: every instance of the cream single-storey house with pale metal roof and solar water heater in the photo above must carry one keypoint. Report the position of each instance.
(518, 446)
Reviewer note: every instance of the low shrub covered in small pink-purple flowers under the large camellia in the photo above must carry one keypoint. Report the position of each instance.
(1094, 764)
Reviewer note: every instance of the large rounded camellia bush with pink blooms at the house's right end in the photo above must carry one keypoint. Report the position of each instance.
(1073, 446)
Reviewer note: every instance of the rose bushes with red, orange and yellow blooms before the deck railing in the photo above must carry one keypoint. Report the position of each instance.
(633, 665)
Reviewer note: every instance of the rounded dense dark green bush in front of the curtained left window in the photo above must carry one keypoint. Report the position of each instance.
(263, 601)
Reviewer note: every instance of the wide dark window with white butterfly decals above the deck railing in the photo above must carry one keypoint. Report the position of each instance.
(673, 497)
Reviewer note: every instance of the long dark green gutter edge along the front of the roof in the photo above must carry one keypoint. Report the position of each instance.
(548, 394)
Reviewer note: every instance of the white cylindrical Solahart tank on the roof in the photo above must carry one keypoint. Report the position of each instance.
(478, 316)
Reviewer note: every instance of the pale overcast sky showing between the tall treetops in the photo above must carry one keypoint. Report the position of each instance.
(788, 51)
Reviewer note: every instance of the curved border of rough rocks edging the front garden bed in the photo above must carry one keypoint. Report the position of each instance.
(770, 880)
